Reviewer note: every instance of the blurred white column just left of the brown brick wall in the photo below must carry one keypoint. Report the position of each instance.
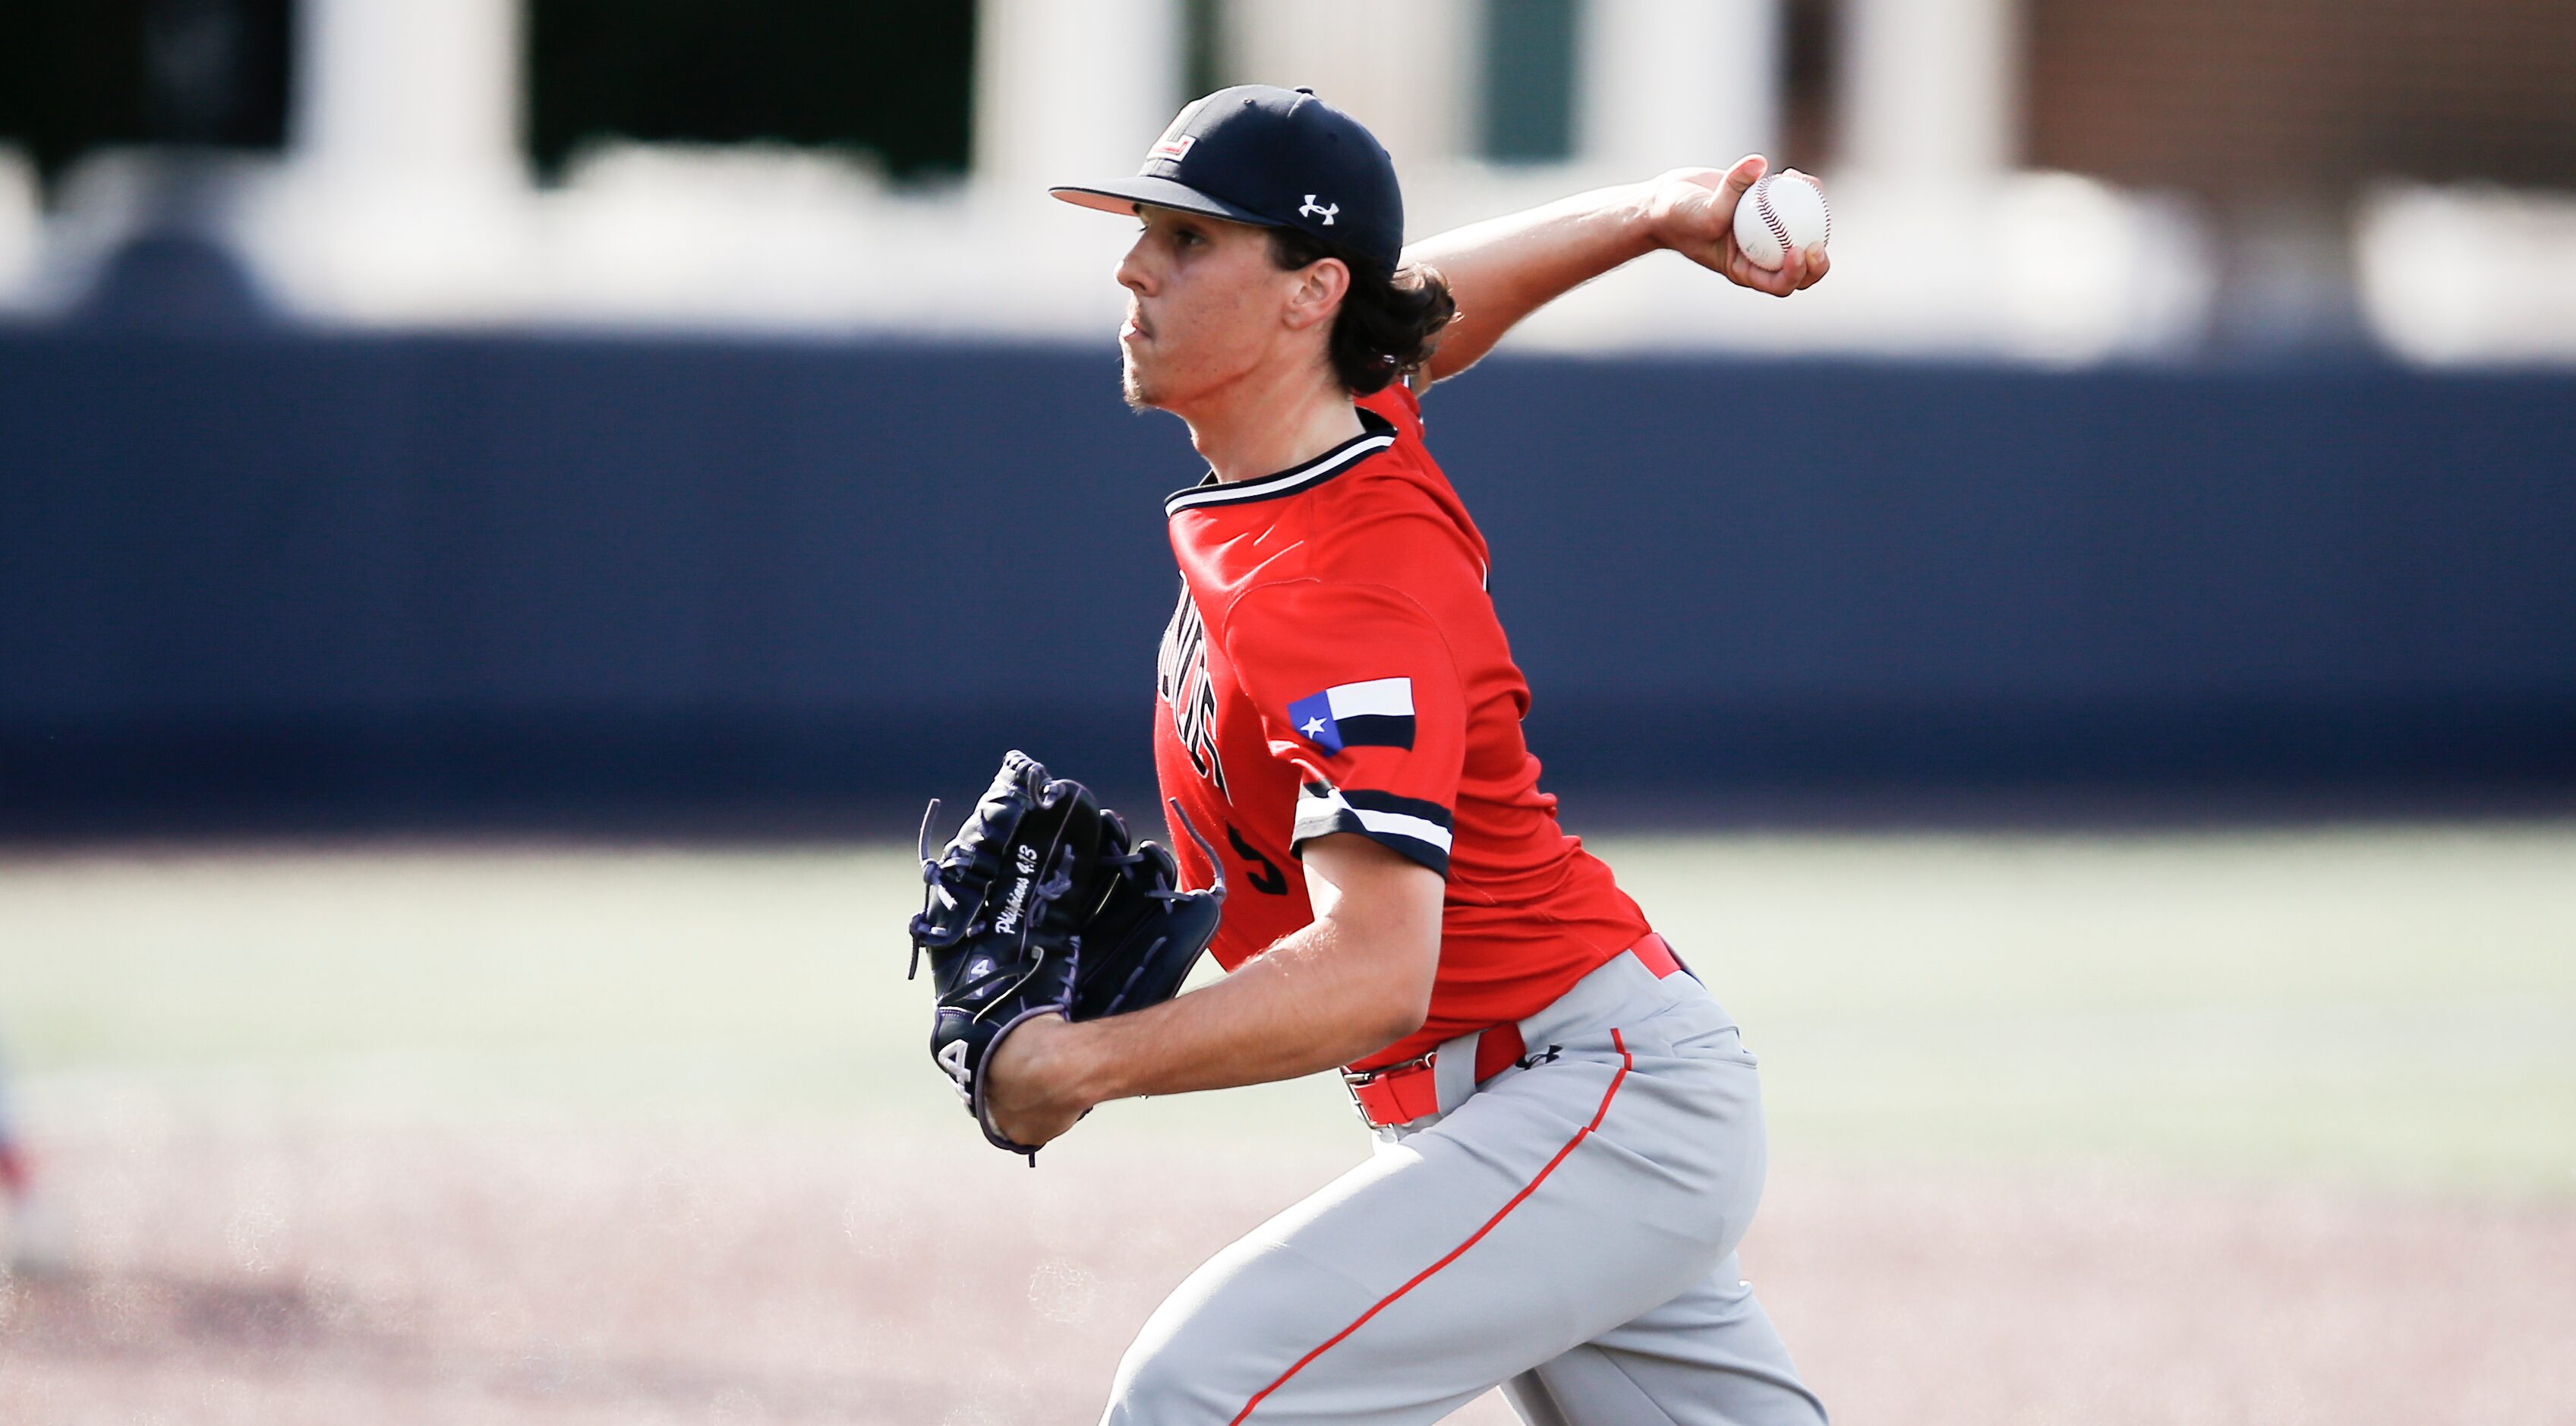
(1928, 89)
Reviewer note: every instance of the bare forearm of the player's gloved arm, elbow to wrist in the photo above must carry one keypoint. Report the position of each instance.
(1302, 1007)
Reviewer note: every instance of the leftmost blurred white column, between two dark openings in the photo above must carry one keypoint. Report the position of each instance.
(408, 89)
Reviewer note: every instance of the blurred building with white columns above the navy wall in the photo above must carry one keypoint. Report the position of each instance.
(2023, 179)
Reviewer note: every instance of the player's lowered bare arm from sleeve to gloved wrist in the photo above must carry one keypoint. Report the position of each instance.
(1351, 984)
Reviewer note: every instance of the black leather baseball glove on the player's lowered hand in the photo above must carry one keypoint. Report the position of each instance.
(1045, 906)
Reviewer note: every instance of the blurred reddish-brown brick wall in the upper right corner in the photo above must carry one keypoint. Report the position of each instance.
(2320, 97)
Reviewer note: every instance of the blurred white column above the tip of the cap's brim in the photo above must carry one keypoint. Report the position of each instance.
(1073, 89)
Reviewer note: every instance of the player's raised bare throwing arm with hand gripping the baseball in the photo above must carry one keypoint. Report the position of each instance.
(1503, 269)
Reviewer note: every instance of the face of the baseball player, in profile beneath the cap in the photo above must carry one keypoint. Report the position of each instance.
(1207, 311)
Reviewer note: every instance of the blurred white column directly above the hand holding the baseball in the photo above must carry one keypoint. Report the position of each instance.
(1668, 84)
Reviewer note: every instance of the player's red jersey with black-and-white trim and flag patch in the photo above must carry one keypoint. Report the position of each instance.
(1336, 667)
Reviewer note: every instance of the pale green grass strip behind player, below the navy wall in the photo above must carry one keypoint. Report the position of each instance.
(2389, 1007)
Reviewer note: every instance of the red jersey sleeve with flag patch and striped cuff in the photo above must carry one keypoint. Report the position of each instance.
(1359, 692)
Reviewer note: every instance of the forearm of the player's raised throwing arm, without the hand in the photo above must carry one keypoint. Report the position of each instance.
(1503, 269)
